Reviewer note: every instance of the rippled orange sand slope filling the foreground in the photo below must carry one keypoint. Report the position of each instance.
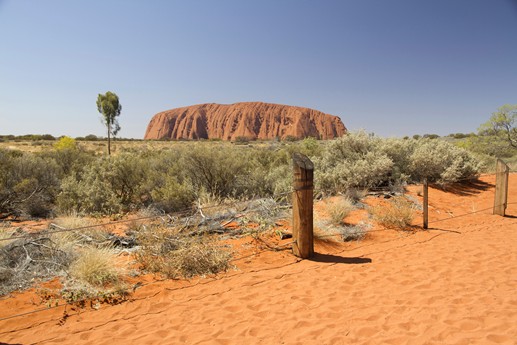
(455, 284)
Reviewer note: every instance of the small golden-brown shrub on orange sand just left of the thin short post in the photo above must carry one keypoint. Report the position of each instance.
(397, 213)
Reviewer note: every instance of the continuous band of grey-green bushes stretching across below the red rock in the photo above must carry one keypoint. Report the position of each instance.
(68, 179)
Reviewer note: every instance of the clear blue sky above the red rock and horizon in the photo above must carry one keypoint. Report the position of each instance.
(392, 67)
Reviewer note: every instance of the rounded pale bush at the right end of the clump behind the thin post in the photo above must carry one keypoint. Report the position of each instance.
(442, 162)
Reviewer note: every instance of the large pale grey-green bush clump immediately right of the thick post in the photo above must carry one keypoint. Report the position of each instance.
(361, 160)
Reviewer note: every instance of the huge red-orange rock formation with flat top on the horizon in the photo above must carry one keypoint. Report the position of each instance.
(252, 120)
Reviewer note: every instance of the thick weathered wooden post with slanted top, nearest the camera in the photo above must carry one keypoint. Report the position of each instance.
(303, 170)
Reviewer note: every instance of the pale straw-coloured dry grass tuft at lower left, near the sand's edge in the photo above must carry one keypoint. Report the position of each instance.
(95, 267)
